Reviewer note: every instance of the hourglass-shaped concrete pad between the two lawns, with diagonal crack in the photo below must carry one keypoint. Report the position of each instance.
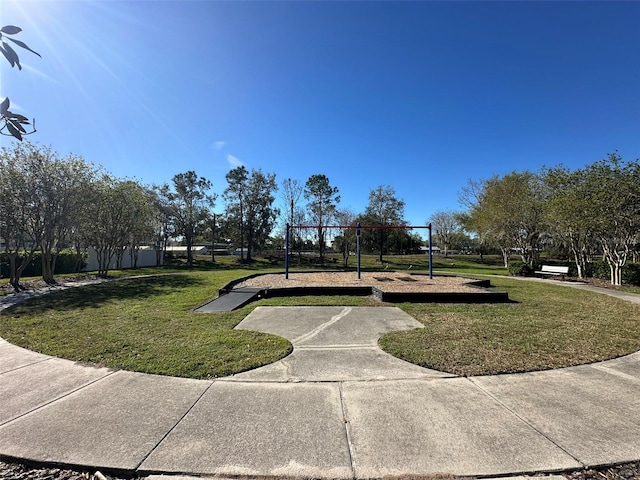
(333, 344)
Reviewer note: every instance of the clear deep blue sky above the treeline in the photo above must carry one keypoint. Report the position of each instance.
(421, 96)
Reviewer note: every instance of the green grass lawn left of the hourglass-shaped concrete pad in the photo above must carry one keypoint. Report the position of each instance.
(144, 324)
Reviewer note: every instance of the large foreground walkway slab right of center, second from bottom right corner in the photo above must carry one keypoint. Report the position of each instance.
(442, 426)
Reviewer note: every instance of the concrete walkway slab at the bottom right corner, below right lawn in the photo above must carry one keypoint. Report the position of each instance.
(591, 413)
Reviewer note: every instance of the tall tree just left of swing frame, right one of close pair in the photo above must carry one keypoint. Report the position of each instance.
(260, 214)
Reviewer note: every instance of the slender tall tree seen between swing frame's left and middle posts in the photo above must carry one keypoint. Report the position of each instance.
(323, 199)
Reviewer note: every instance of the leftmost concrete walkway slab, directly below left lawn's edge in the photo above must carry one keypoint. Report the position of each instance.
(35, 385)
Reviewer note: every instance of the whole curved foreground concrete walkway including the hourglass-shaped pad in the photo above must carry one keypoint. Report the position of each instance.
(337, 407)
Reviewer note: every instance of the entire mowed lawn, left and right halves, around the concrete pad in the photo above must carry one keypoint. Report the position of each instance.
(146, 324)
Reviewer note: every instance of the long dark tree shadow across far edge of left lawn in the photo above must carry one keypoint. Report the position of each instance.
(93, 296)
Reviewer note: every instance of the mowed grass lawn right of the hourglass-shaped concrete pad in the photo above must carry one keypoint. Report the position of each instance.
(546, 326)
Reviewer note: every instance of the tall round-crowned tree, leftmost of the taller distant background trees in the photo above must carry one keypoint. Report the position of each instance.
(190, 206)
